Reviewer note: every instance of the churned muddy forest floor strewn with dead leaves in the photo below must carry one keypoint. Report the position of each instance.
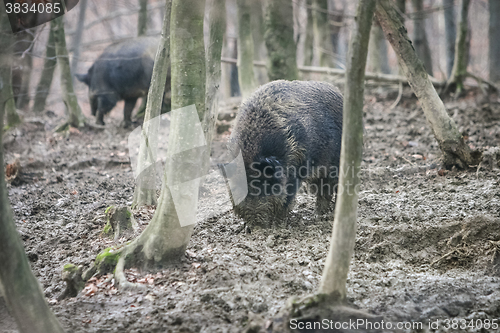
(427, 247)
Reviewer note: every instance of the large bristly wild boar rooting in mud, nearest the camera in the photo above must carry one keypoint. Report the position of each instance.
(287, 133)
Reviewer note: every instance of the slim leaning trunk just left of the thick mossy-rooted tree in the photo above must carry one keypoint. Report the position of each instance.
(145, 190)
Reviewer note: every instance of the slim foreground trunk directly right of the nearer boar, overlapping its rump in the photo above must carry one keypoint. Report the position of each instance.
(333, 281)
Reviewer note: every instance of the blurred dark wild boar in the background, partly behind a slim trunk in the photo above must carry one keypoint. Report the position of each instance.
(122, 72)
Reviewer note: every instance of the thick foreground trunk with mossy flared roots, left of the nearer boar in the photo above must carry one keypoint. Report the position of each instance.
(165, 239)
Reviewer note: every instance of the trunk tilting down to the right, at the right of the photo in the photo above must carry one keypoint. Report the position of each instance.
(451, 143)
